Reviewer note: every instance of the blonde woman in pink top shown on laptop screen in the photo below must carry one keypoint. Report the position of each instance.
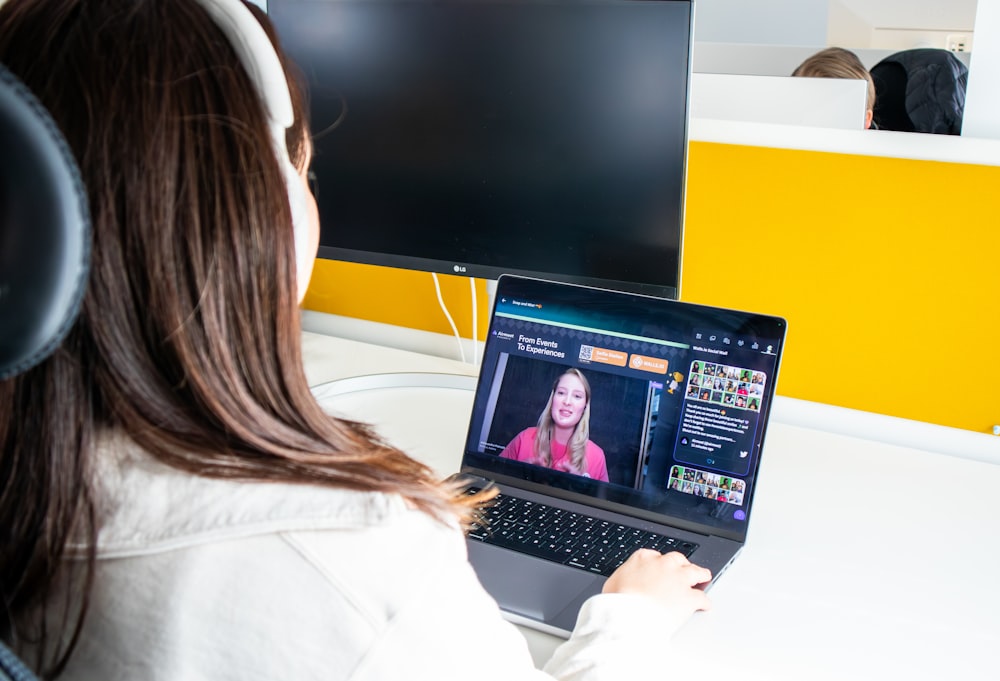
(562, 438)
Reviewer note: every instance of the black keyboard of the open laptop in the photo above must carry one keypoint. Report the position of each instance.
(566, 537)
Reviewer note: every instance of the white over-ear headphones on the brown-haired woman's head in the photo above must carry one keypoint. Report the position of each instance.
(260, 60)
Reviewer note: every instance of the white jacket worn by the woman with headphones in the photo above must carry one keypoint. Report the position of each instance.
(210, 579)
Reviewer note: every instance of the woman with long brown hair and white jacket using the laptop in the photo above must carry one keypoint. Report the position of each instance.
(184, 372)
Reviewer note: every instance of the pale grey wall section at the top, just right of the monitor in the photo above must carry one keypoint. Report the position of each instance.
(775, 22)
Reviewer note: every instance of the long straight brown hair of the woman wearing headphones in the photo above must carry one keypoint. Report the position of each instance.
(189, 337)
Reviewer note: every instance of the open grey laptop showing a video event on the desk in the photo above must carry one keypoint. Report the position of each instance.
(610, 421)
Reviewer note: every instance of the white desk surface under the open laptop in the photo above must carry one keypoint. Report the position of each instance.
(912, 593)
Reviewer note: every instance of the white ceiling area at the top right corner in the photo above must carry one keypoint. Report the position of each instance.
(941, 15)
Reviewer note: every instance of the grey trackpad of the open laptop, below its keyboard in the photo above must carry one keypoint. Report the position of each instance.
(530, 587)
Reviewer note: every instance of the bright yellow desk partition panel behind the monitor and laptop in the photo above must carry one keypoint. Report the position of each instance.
(885, 268)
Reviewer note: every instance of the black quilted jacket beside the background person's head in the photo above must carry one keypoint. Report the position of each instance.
(921, 90)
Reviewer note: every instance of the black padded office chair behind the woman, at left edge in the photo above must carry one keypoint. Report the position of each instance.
(44, 247)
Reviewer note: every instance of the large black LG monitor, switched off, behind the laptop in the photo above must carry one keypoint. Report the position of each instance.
(538, 137)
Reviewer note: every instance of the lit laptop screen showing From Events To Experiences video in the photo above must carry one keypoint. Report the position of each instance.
(648, 406)
